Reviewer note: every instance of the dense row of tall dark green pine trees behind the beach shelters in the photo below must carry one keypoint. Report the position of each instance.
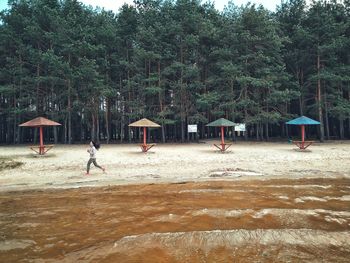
(175, 62)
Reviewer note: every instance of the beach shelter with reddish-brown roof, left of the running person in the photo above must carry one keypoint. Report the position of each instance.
(40, 122)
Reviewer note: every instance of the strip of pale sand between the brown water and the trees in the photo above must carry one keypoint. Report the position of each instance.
(64, 166)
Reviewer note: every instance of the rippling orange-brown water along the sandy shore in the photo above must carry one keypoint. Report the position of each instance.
(219, 221)
